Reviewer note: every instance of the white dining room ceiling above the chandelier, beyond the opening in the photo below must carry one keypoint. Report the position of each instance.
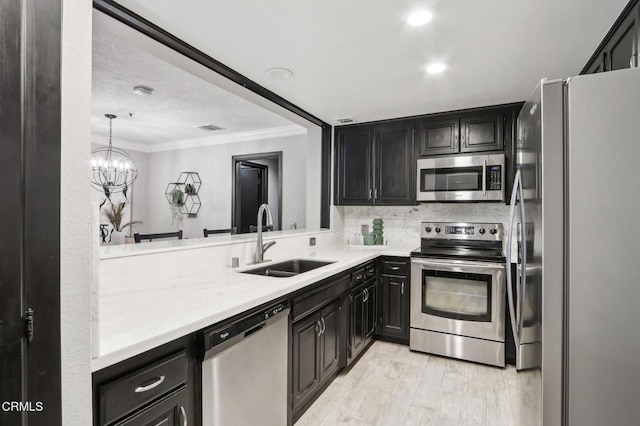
(181, 101)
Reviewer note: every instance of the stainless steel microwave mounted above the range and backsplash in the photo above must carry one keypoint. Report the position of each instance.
(477, 177)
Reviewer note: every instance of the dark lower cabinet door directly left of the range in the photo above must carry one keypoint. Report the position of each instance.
(394, 306)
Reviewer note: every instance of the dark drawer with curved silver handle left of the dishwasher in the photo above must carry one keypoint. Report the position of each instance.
(122, 396)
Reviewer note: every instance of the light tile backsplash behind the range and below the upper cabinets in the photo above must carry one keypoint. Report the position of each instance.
(402, 223)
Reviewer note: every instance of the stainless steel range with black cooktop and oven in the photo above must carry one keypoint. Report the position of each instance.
(458, 292)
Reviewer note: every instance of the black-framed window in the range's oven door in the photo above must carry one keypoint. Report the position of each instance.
(457, 295)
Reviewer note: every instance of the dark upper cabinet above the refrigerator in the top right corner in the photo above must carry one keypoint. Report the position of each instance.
(619, 49)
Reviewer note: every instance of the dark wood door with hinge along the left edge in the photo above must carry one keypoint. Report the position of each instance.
(30, 226)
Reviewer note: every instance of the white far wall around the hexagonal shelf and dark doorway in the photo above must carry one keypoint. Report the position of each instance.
(214, 165)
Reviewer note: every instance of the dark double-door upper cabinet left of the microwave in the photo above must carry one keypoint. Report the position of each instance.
(375, 165)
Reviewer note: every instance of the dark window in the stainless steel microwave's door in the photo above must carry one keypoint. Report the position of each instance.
(451, 179)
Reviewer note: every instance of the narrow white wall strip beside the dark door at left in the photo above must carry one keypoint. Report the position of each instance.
(75, 240)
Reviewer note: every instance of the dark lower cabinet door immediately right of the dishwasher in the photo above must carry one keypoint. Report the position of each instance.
(306, 362)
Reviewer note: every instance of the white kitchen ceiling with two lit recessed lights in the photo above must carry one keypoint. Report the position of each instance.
(358, 57)
